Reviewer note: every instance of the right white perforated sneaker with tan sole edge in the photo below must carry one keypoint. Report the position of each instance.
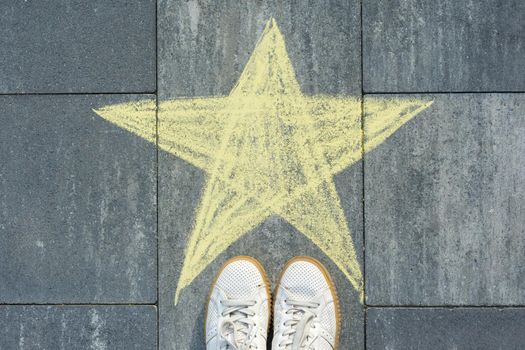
(306, 312)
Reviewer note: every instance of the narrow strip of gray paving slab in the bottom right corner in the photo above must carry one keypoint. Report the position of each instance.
(444, 329)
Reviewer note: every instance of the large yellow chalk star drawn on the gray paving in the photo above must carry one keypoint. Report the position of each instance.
(267, 149)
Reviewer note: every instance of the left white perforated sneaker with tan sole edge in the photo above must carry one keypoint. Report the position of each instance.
(239, 307)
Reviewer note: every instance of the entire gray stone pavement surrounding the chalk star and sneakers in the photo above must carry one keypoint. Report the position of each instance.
(444, 199)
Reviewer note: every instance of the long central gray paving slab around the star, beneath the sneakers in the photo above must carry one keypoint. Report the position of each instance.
(203, 46)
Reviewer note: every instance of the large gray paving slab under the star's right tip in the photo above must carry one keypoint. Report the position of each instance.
(444, 205)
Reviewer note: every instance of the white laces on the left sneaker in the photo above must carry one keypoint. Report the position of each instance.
(235, 330)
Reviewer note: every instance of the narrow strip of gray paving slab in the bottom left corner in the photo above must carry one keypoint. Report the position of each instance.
(78, 327)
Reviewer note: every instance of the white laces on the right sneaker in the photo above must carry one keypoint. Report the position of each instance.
(298, 328)
